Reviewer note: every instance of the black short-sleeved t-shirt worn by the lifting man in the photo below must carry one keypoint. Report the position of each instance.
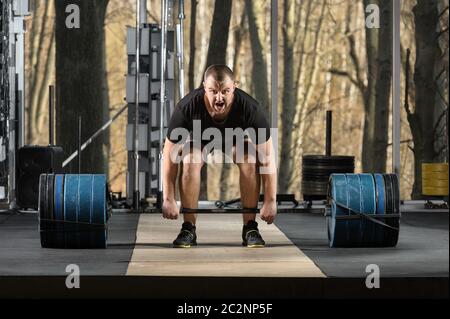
(245, 114)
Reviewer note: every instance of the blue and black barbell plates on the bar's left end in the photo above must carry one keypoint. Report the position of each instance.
(73, 211)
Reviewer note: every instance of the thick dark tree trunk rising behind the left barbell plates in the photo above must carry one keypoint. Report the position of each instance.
(80, 80)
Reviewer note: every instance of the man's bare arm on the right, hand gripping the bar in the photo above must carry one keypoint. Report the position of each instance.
(268, 172)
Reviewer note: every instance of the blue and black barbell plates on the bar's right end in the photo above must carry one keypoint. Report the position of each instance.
(363, 210)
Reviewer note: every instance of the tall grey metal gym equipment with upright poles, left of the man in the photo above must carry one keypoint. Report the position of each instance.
(155, 99)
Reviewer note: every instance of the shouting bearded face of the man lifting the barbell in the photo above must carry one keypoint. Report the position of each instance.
(219, 96)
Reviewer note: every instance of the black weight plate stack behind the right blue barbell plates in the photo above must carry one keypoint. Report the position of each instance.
(316, 171)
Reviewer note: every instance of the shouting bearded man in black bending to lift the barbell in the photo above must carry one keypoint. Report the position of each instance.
(219, 107)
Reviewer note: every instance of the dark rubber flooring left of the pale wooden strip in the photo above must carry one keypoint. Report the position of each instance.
(21, 252)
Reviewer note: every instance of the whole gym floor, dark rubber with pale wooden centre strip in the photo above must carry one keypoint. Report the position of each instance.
(297, 261)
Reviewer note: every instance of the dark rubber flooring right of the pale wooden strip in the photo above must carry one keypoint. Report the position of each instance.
(422, 250)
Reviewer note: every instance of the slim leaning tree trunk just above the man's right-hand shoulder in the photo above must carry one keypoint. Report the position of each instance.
(259, 68)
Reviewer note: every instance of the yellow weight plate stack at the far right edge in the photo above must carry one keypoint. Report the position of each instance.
(435, 179)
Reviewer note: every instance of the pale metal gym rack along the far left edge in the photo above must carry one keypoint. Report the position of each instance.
(12, 95)
